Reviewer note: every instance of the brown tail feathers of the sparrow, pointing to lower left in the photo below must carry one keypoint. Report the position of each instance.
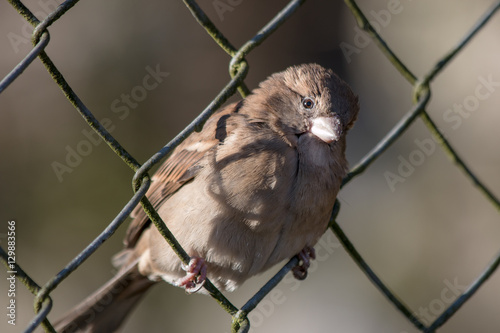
(106, 309)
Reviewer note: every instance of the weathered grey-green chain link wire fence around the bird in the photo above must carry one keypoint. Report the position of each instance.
(239, 68)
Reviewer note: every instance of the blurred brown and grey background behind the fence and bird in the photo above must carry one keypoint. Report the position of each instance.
(421, 225)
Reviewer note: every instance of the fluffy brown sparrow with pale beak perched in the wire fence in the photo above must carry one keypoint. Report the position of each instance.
(255, 187)
